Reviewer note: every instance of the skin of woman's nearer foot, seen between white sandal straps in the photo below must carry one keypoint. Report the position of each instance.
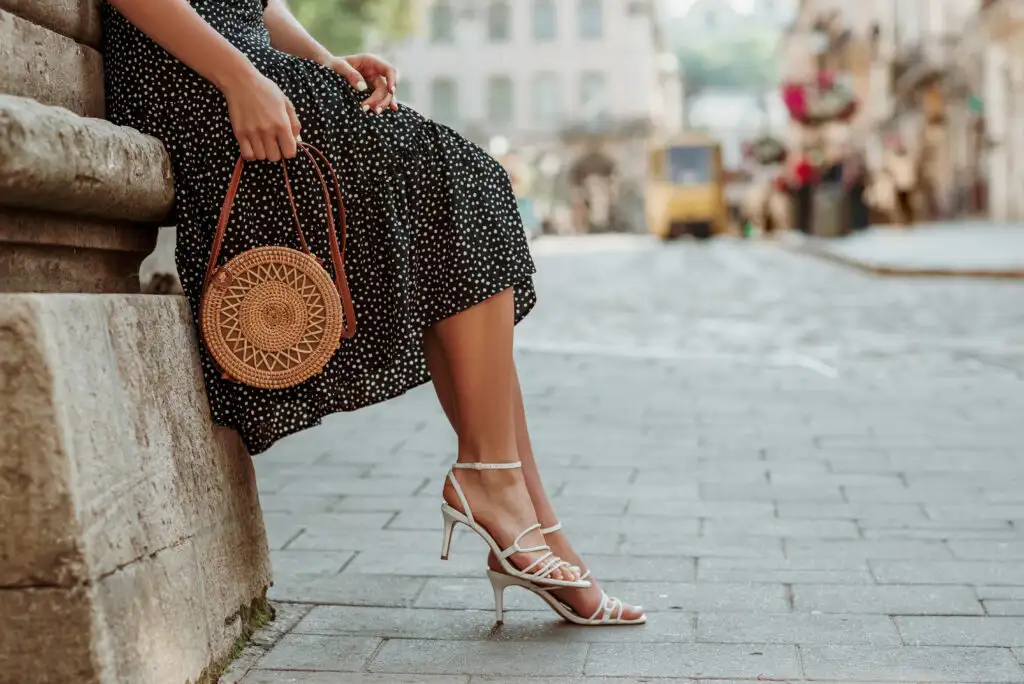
(501, 504)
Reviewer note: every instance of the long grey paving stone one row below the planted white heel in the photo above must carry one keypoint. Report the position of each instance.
(475, 658)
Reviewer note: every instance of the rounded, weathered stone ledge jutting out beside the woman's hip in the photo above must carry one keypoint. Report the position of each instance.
(53, 160)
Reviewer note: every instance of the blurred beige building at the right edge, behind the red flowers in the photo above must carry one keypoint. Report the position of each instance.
(942, 79)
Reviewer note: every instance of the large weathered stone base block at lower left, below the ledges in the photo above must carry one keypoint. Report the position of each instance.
(125, 510)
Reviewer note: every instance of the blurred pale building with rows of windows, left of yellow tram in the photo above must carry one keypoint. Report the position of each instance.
(577, 87)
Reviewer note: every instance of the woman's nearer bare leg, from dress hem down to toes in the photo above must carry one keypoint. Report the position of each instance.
(477, 346)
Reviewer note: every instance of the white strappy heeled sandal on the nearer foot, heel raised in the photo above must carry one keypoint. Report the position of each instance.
(538, 573)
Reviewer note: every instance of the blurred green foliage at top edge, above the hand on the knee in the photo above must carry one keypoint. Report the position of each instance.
(343, 25)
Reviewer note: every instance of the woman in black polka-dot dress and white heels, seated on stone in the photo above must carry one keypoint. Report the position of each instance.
(438, 263)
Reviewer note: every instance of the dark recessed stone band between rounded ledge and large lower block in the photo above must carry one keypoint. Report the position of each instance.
(56, 253)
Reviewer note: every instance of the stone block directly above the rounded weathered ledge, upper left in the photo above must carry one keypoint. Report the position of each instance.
(42, 65)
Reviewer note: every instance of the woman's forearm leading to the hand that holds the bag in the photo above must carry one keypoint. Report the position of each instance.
(181, 31)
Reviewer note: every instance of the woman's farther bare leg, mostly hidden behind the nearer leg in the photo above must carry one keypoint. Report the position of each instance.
(583, 602)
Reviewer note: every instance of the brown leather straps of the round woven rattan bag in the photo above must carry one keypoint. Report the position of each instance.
(337, 248)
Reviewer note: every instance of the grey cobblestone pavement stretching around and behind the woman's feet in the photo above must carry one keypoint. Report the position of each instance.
(802, 473)
